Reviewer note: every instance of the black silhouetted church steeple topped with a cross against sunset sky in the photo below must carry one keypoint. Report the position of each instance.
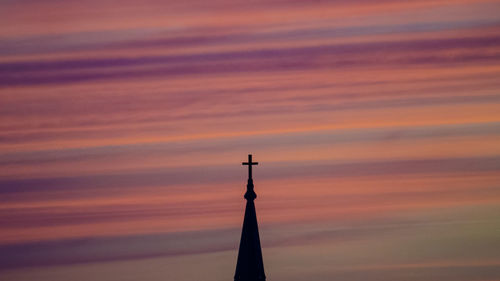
(250, 266)
